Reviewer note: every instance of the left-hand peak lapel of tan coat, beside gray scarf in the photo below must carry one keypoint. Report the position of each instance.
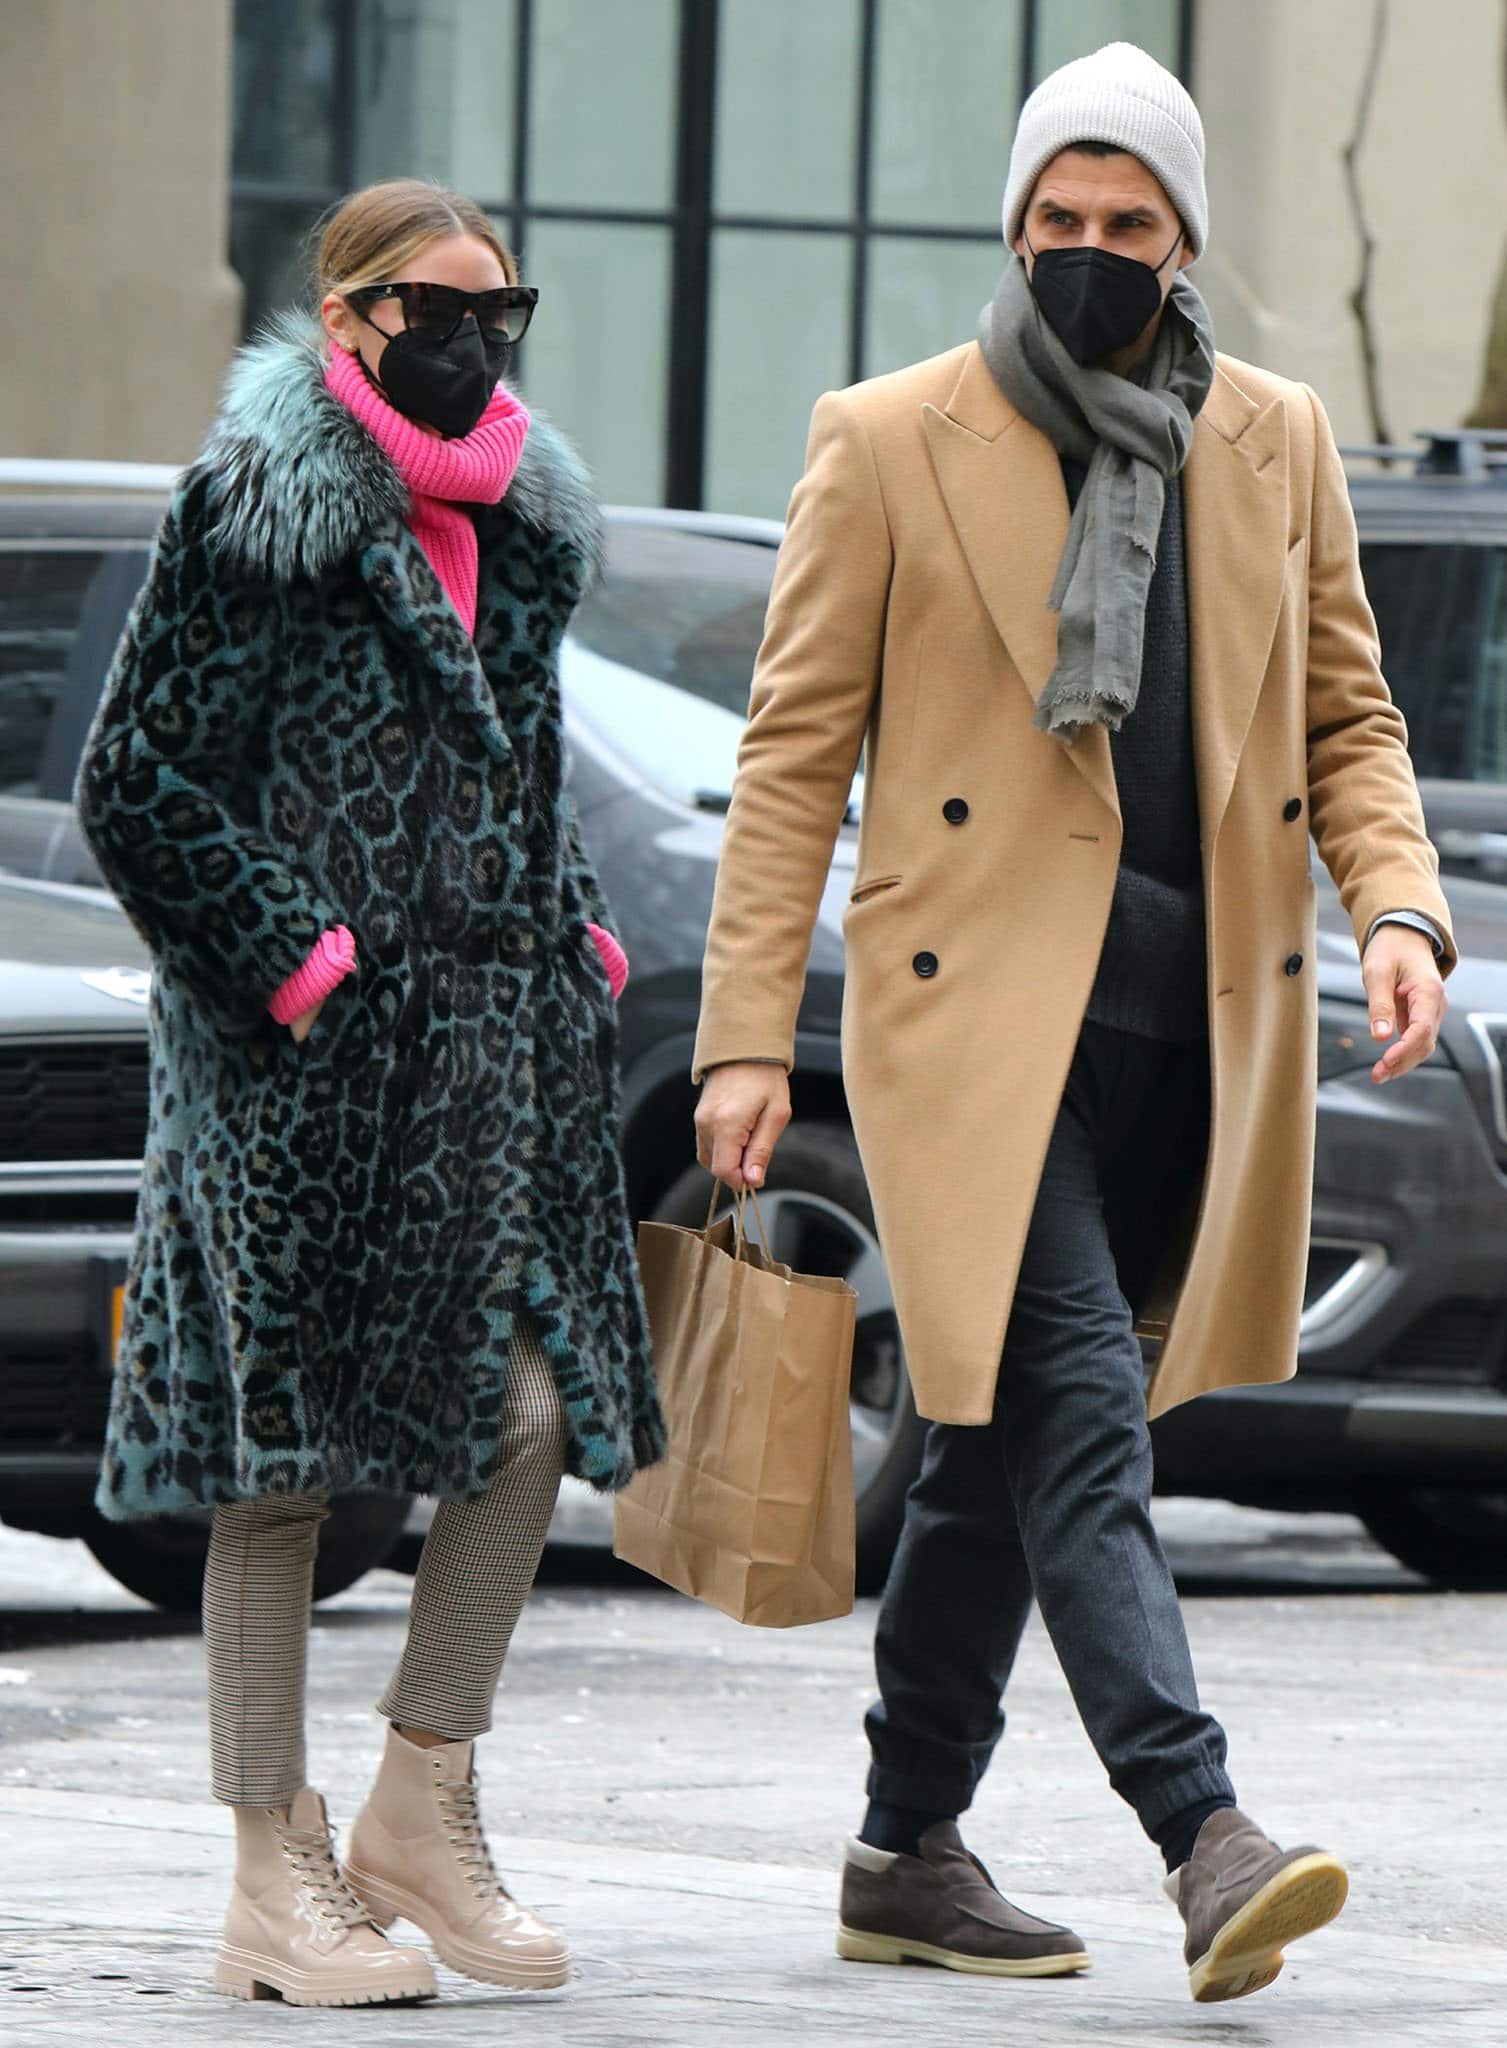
(1006, 499)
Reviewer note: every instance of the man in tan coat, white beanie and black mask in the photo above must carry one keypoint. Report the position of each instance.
(1090, 597)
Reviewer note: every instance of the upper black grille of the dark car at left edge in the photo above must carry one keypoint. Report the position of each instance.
(83, 1099)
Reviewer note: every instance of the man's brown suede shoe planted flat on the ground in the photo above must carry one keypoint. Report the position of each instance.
(943, 1908)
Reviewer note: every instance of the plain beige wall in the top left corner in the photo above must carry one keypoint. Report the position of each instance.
(120, 308)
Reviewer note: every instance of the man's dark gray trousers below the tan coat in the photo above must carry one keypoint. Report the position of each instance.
(1053, 1496)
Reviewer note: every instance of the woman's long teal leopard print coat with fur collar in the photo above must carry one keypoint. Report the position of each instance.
(335, 1238)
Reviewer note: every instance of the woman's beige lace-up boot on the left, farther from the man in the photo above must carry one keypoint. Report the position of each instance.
(296, 1928)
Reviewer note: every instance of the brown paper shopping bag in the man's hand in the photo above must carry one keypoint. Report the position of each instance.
(752, 1510)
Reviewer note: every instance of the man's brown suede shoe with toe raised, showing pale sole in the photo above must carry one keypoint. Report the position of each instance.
(1244, 1900)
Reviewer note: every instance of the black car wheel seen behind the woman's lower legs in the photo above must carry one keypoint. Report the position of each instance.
(163, 1558)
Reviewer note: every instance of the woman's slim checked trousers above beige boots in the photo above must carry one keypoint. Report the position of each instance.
(476, 1570)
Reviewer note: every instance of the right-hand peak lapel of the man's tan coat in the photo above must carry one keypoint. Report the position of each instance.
(1236, 503)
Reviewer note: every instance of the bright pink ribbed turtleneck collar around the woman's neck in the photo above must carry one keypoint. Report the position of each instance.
(441, 474)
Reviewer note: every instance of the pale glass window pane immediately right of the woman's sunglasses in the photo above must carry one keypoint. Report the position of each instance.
(597, 355)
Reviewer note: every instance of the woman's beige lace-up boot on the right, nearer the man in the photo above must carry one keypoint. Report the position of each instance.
(419, 1852)
